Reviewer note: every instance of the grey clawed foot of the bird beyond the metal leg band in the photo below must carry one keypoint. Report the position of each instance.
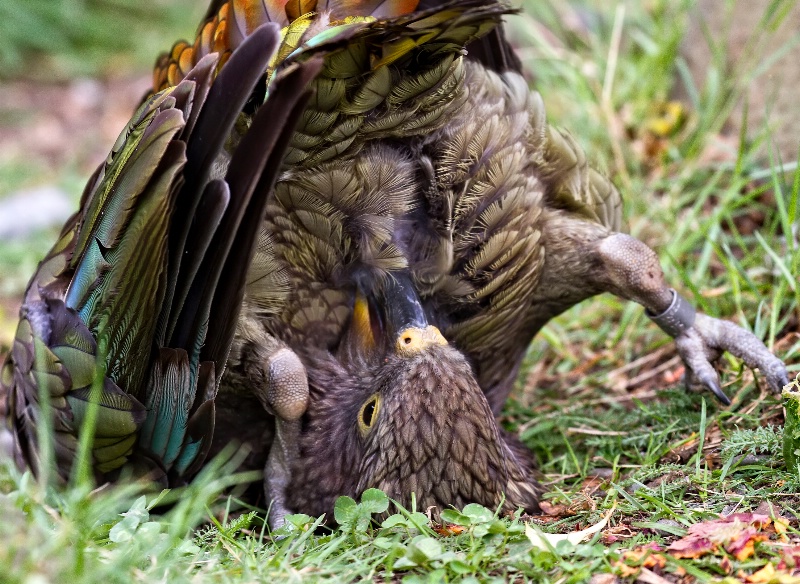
(702, 344)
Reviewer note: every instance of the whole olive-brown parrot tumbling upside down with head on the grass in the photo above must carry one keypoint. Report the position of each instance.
(358, 212)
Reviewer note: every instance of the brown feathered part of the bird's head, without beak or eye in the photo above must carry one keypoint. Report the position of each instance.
(435, 436)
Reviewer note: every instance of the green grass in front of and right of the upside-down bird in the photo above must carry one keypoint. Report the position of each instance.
(726, 233)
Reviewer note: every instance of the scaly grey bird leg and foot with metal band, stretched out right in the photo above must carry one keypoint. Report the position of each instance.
(631, 270)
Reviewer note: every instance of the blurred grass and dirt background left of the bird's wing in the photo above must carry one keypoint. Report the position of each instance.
(71, 74)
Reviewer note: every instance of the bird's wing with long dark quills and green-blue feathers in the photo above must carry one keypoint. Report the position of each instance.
(127, 323)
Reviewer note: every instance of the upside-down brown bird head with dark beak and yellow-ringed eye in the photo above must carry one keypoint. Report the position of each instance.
(399, 409)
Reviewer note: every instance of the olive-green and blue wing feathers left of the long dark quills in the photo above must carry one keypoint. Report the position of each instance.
(76, 302)
